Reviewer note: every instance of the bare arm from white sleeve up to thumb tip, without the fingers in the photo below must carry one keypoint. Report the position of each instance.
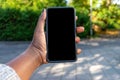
(35, 54)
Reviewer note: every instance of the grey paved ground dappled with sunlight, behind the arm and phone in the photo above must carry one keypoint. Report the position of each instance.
(100, 60)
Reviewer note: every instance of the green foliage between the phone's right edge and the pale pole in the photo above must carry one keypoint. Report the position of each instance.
(82, 11)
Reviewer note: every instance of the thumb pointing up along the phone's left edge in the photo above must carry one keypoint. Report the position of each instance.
(41, 22)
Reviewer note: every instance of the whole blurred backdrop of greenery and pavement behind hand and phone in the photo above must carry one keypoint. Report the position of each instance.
(100, 58)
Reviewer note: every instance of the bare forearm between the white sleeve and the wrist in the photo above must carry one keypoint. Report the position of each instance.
(26, 63)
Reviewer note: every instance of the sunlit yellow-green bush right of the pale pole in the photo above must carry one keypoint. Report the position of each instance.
(107, 15)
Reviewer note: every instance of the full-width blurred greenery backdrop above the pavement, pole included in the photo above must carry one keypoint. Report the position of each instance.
(18, 18)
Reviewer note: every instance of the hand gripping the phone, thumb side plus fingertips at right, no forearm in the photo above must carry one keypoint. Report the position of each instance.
(39, 40)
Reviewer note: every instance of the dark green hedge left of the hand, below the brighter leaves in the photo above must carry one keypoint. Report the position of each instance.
(16, 24)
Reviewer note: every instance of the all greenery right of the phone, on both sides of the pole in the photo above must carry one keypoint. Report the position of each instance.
(105, 14)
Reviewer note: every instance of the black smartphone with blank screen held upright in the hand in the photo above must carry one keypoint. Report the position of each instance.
(60, 34)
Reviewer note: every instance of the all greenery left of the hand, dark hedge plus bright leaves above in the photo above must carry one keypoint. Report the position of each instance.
(18, 18)
